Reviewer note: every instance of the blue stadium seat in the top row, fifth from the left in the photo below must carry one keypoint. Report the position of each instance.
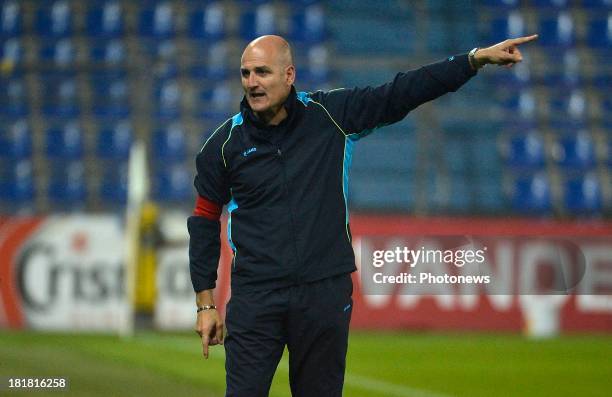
(208, 23)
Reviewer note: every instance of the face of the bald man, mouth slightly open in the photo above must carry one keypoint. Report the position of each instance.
(266, 80)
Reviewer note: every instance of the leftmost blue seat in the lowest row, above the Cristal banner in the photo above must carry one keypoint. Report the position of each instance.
(17, 183)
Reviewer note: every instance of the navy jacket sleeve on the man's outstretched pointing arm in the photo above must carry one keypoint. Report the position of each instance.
(360, 109)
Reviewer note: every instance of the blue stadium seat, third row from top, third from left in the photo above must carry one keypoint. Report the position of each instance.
(111, 96)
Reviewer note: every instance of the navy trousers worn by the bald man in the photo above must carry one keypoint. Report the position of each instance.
(312, 320)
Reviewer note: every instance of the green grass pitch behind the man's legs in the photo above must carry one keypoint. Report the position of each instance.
(380, 364)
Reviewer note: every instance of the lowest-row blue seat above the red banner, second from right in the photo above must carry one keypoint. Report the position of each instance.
(532, 194)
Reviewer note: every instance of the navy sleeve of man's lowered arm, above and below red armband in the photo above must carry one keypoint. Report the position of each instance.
(204, 234)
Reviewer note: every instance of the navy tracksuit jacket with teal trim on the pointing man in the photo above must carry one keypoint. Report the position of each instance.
(286, 186)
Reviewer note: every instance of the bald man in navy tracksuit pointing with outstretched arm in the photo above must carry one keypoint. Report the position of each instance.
(281, 166)
